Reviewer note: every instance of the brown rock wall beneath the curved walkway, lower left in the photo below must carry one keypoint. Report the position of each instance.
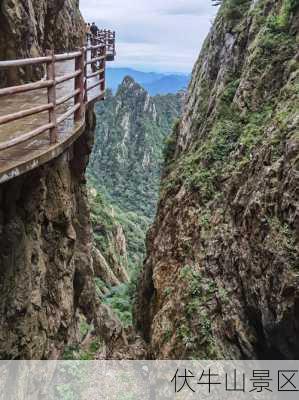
(46, 269)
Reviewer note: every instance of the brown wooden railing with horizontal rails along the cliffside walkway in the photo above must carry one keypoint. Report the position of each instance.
(94, 55)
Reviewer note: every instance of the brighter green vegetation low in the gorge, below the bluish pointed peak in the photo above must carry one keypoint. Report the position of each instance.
(105, 219)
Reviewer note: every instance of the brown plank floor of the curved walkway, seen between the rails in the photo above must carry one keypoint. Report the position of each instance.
(27, 155)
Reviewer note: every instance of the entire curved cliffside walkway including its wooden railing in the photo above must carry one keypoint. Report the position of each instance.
(40, 120)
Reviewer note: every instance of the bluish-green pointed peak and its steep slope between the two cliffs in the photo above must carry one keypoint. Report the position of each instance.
(129, 143)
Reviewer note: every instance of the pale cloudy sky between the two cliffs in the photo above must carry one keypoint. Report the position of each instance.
(154, 35)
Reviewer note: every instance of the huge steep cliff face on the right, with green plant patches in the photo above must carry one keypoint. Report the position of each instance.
(221, 277)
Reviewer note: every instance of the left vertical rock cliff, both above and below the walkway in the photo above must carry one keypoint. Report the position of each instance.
(46, 264)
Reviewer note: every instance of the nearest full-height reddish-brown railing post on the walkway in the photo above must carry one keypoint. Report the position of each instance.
(52, 96)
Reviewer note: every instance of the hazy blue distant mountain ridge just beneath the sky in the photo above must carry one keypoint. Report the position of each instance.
(154, 83)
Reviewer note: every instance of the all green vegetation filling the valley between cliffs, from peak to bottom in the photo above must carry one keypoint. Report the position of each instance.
(124, 172)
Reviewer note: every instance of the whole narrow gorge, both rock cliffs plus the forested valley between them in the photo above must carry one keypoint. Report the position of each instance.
(169, 229)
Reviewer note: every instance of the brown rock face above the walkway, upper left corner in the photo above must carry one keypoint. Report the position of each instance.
(29, 27)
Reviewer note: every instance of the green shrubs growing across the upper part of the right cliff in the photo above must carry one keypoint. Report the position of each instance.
(233, 137)
